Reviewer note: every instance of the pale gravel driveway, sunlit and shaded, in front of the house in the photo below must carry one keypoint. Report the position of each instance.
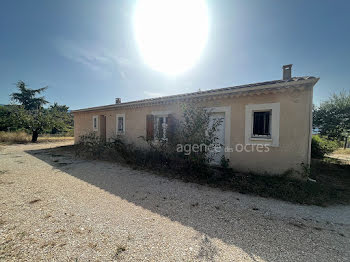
(58, 208)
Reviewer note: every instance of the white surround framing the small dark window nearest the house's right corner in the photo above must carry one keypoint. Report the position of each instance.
(272, 140)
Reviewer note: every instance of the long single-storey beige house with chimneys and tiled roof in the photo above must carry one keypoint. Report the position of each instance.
(275, 114)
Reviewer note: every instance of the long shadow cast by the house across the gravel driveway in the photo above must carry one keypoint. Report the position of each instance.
(215, 214)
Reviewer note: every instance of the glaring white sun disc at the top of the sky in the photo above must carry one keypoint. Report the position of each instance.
(171, 34)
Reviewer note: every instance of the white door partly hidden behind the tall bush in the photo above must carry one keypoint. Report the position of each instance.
(220, 134)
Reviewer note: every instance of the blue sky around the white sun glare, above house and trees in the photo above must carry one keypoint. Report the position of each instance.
(85, 51)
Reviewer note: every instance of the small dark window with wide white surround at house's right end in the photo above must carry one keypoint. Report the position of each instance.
(262, 124)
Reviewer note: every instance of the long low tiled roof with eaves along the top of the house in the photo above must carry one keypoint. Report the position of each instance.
(243, 88)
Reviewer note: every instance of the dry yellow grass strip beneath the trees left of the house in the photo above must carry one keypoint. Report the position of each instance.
(21, 137)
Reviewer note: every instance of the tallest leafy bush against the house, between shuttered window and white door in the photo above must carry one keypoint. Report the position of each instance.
(193, 128)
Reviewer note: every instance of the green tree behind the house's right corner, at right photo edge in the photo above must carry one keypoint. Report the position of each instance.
(332, 117)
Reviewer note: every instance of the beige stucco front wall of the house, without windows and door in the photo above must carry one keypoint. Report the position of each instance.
(294, 140)
